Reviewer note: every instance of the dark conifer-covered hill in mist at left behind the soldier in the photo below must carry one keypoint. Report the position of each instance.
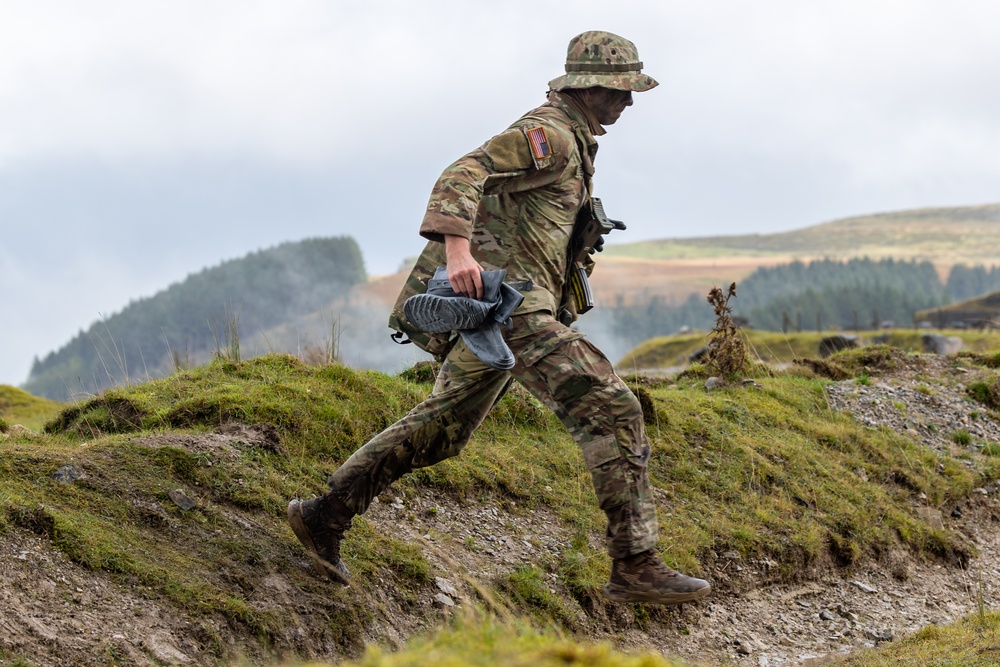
(186, 323)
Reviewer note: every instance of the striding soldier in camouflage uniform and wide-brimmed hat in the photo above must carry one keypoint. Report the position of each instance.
(512, 204)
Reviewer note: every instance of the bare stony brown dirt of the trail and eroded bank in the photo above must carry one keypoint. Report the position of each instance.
(55, 612)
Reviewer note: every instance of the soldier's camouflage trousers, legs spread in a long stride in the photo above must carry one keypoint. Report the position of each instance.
(565, 372)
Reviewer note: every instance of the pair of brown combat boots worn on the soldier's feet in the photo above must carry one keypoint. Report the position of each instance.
(320, 525)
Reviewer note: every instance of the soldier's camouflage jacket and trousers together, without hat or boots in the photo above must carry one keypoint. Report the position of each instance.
(517, 198)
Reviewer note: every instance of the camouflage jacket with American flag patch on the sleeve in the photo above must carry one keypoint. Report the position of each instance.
(516, 198)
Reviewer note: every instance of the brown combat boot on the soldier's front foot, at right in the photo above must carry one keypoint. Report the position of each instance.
(643, 577)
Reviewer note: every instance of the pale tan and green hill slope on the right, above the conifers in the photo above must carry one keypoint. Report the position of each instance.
(674, 269)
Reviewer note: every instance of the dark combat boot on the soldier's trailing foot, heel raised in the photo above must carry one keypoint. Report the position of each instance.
(320, 524)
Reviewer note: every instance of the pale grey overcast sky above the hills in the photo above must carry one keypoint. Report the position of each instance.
(141, 141)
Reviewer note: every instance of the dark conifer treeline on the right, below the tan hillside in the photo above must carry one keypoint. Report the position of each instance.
(830, 294)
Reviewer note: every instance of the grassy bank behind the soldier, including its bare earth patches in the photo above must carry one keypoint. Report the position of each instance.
(767, 473)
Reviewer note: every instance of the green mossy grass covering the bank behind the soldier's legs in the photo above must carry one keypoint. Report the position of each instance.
(767, 471)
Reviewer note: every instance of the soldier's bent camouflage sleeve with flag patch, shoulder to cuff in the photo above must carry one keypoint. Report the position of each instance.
(507, 156)
